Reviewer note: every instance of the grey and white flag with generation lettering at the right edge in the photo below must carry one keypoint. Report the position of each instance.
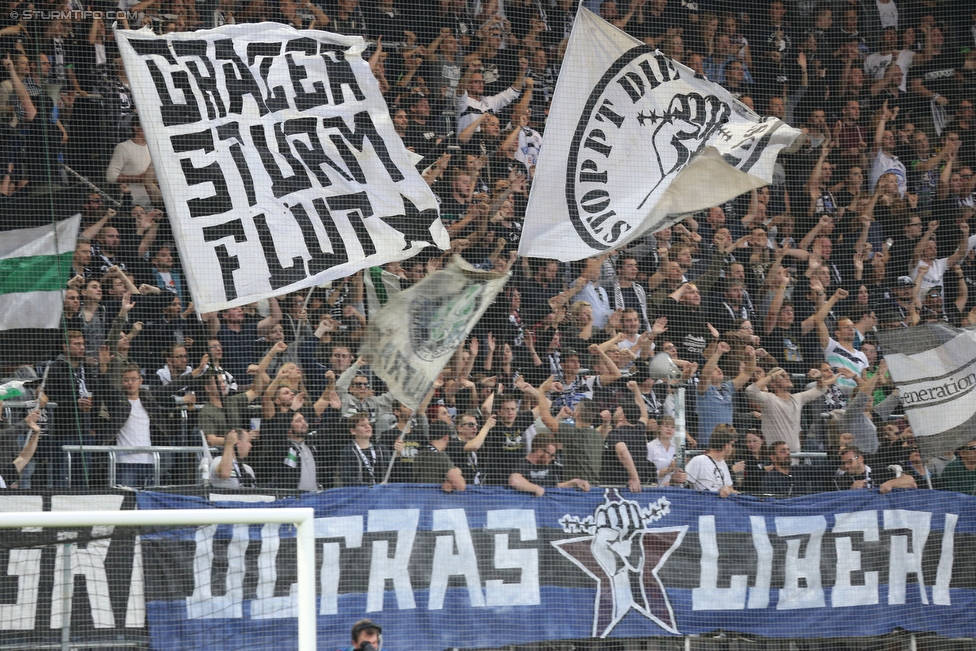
(934, 368)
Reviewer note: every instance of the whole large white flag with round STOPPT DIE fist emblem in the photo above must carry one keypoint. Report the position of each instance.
(634, 139)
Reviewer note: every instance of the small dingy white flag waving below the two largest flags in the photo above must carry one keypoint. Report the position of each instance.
(413, 337)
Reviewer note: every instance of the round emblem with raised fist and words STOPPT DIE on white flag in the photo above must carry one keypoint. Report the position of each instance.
(640, 99)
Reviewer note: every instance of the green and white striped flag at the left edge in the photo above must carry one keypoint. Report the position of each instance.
(35, 261)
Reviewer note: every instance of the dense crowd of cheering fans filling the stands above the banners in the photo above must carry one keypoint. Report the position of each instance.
(769, 303)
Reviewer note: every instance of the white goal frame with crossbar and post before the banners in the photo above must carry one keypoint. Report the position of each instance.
(302, 518)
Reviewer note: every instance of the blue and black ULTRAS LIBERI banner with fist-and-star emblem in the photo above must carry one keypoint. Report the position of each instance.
(490, 567)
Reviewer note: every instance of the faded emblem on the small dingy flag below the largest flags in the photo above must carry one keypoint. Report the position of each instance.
(438, 326)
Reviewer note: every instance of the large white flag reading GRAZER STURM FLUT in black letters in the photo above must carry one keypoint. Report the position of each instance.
(276, 157)
